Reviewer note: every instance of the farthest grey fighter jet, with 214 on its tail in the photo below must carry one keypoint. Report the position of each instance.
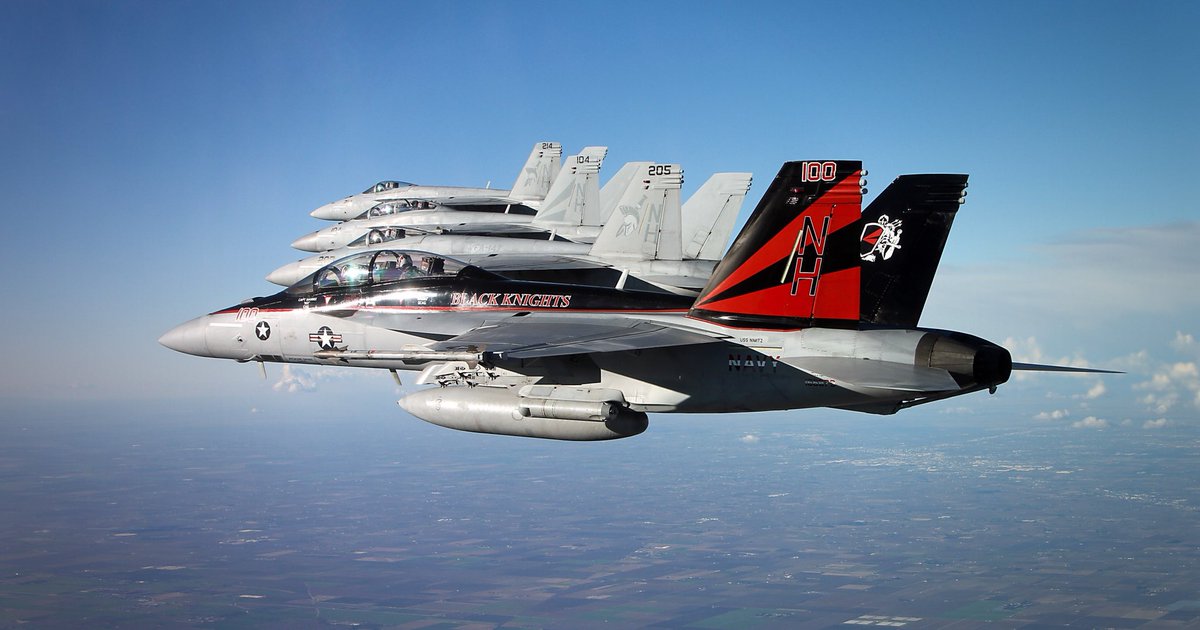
(532, 184)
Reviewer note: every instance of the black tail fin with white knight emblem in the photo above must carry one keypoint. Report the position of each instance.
(903, 237)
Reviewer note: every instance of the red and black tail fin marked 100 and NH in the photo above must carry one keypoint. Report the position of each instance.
(796, 262)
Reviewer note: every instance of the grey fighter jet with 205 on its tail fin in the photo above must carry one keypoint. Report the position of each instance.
(631, 244)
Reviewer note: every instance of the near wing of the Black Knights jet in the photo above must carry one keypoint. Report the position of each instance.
(529, 338)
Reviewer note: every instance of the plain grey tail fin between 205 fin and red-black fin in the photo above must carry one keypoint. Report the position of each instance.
(710, 214)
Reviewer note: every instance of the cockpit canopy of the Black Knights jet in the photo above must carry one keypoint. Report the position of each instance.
(383, 267)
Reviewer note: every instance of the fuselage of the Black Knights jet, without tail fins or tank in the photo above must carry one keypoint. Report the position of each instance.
(736, 370)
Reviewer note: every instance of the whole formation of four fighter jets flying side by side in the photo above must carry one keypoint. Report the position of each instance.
(561, 309)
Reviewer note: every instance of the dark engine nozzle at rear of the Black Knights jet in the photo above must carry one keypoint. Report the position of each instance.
(971, 361)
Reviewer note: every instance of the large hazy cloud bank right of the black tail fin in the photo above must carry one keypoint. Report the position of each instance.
(1112, 289)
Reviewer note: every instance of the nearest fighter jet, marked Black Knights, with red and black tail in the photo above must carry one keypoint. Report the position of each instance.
(817, 304)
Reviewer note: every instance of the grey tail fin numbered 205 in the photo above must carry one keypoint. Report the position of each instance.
(646, 224)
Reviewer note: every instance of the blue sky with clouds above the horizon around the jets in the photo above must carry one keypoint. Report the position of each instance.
(159, 158)
